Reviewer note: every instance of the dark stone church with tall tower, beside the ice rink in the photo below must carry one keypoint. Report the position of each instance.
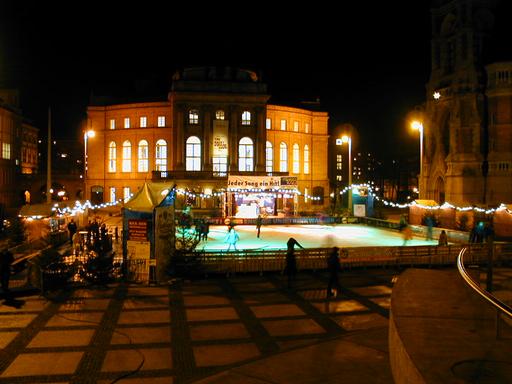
(464, 138)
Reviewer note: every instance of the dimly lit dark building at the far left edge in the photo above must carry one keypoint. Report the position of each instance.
(18, 152)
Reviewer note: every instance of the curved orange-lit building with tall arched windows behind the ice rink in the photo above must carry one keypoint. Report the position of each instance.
(217, 138)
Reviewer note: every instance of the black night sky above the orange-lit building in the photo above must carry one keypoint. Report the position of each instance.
(367, 63)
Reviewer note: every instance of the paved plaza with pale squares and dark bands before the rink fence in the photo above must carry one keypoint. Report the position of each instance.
(189, 330)
